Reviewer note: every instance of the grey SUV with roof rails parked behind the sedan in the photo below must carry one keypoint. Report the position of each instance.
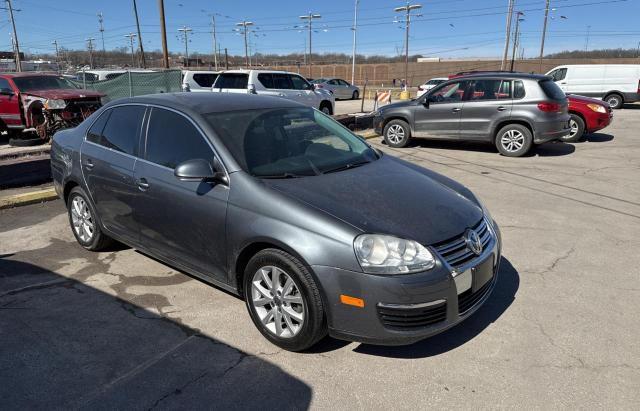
(511, 110)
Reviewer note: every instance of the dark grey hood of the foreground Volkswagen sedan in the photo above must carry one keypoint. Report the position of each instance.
(387, 196)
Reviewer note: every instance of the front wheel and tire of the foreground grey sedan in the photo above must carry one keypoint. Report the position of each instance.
(301, 319)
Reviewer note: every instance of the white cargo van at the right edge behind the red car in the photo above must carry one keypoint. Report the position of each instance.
(614, 83)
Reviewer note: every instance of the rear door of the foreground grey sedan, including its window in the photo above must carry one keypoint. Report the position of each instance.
(108, 157)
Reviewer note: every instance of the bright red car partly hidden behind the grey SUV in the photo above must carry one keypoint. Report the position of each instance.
(588, 115)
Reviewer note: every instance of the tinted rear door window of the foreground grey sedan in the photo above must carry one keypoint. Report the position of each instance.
(123, 128)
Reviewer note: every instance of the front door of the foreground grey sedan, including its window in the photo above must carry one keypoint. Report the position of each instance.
(183, 221)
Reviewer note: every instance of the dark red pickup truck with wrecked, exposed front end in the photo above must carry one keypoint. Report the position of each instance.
(42, 104)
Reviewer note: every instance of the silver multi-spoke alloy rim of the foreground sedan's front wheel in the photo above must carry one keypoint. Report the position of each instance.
(277, 301)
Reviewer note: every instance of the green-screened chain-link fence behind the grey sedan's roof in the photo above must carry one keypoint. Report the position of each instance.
(130, 84)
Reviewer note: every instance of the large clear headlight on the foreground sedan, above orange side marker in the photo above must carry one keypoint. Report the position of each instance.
(384, 254)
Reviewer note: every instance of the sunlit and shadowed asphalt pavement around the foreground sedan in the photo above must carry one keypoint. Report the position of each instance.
(120, 330)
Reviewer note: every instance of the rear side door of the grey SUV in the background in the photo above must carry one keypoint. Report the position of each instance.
(486, 103)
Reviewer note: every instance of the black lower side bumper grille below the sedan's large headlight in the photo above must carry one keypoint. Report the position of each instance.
(412, 318)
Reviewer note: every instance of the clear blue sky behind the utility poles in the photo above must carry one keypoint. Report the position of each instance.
(441, 28)
